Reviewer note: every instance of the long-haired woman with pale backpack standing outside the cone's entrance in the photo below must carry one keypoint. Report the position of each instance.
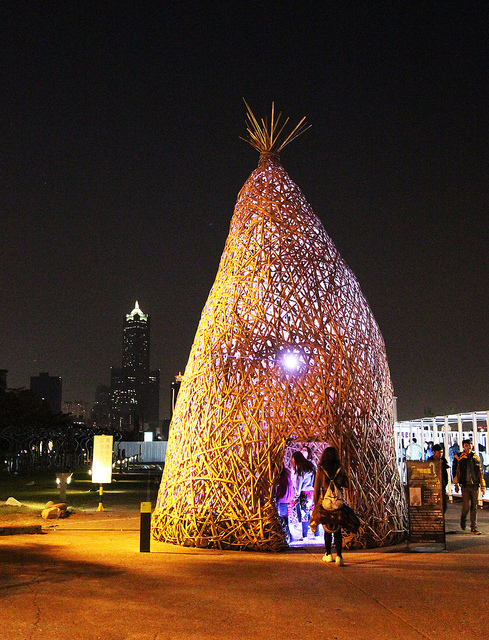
(330, 480)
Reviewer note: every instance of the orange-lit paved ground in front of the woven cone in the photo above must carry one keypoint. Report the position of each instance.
(85, 579)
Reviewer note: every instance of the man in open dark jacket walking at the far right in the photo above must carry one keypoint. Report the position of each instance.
(467, 473)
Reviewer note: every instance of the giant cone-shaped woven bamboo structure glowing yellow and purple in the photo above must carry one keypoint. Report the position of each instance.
(287, 349)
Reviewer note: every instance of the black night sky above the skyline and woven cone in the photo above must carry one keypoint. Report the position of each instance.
(121, 163)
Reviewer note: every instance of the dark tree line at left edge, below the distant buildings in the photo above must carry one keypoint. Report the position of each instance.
(32, 437)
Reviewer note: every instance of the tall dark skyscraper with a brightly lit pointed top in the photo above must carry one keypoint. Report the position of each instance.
(134, 389)
